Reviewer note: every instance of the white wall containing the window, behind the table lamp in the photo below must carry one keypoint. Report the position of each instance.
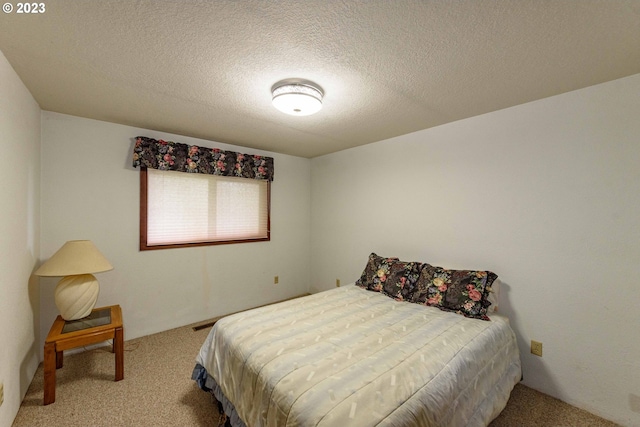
(91, 191)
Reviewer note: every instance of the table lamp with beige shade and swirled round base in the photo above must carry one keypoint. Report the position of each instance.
(77, 292)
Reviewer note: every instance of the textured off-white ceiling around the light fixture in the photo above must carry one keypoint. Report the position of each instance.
(388, 68)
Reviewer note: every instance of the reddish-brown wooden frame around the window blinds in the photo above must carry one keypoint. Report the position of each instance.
(144, 216)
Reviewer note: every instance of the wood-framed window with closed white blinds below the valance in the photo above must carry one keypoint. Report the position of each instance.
(180, 209)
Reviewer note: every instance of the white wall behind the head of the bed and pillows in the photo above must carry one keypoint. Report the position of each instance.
(546, 194)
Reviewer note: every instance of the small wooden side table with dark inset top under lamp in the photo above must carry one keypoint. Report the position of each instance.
(102, 324)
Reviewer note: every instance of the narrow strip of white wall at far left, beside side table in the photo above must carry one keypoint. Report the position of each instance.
(19, 238)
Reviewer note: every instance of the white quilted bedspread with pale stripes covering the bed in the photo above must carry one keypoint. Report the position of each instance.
(351, 357)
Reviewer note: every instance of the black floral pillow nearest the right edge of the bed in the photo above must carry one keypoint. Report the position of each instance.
(462, 291)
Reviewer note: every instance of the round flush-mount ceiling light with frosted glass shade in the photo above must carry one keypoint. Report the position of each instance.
(297, 97)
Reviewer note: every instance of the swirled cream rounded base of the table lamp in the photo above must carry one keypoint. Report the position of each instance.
(76, 295)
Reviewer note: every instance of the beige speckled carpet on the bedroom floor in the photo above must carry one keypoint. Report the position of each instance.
(157, 390)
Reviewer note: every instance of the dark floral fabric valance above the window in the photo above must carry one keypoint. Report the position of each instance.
(175, 156)
